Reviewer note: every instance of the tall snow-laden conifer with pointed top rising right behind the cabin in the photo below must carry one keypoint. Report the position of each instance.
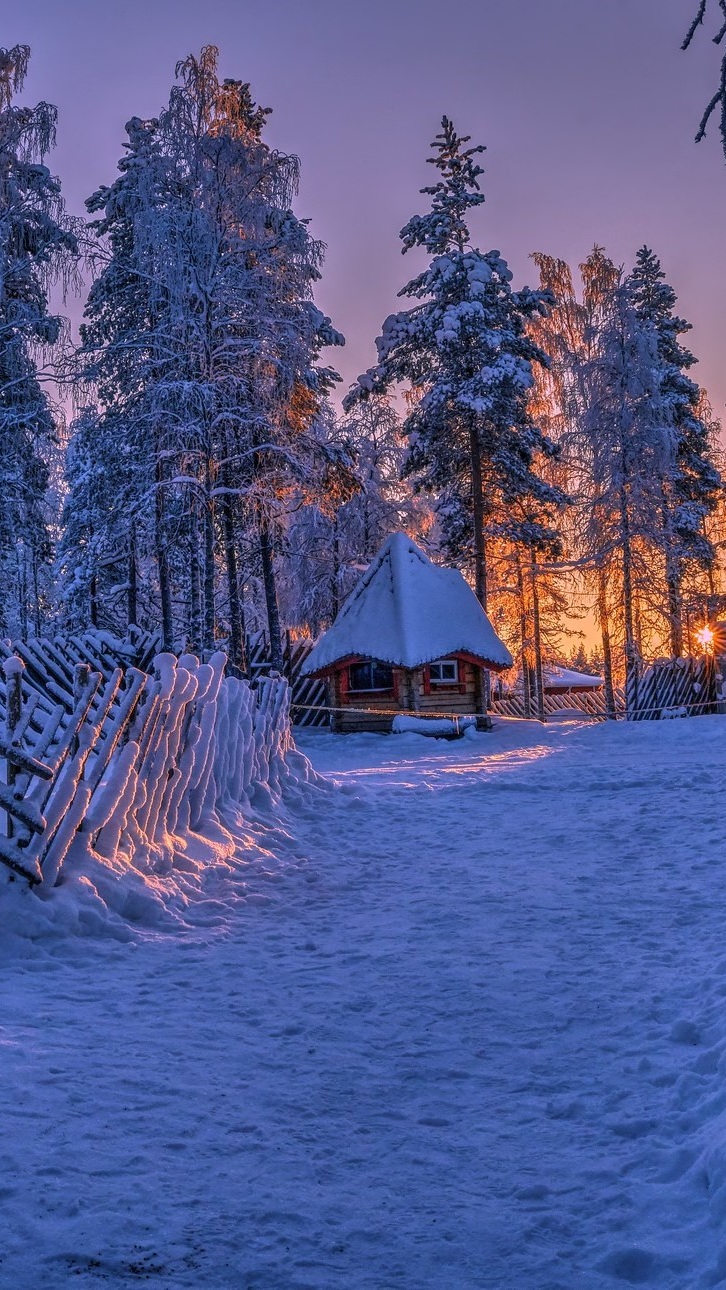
(466, 352)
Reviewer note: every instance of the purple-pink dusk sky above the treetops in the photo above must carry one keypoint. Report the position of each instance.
(587, 109)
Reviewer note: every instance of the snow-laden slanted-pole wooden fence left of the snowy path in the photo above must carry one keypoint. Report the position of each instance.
(133, 762)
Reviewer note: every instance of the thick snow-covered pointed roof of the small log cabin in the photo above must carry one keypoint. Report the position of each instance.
(407, 611)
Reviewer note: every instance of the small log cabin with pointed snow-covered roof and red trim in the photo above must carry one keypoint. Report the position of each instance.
(411, 638)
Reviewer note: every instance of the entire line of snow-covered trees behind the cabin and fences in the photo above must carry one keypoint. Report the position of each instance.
(553, 443)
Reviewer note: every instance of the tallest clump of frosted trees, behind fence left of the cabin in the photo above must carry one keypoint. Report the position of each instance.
(202, 324)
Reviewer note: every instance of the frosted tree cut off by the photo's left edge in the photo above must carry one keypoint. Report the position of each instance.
(37, 244)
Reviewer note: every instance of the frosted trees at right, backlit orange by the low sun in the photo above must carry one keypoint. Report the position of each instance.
(618, 370)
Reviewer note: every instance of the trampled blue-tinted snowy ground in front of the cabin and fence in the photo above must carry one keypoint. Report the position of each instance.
(464, 1026)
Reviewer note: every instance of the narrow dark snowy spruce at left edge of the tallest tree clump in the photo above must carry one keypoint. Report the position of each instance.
(121, 519)
